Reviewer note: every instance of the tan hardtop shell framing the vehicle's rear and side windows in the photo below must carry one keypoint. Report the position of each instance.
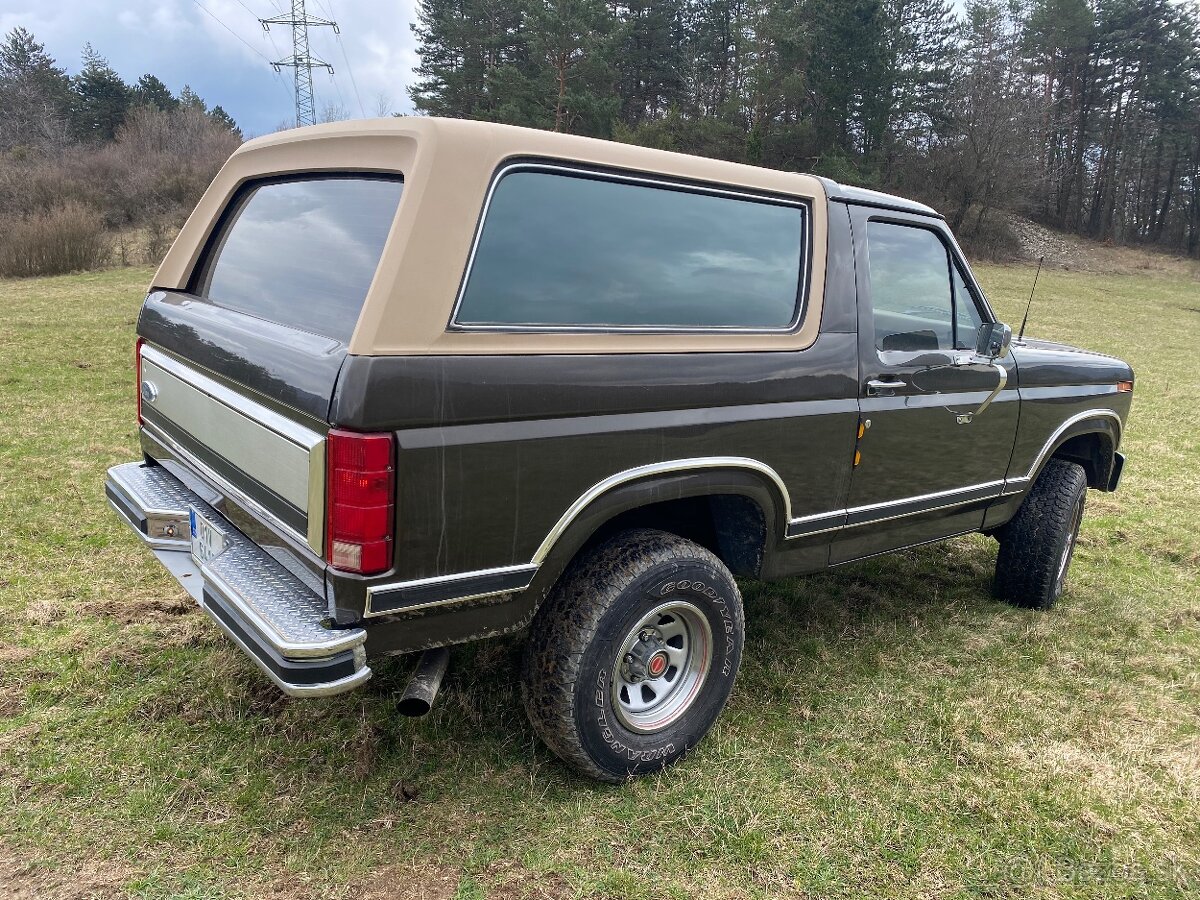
(448, 166)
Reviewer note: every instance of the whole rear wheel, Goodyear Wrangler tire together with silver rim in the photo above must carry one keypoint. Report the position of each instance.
(634, 655)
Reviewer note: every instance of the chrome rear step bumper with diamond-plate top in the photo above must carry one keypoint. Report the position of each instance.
(271, 614)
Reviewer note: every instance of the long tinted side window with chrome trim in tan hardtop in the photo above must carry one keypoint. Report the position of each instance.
(563, 251)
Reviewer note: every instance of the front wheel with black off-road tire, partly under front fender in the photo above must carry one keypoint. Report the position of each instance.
(1037, 545)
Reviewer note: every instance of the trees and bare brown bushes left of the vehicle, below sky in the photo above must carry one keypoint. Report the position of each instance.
(94, 170)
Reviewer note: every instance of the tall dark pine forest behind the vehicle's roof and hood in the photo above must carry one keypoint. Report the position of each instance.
(1083, 115)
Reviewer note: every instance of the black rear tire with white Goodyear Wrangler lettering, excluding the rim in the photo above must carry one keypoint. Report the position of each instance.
(571, 659)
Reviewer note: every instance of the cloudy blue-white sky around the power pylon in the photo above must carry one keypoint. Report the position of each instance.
(219, 49)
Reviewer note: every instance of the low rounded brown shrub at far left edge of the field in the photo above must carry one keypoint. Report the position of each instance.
(69, 238)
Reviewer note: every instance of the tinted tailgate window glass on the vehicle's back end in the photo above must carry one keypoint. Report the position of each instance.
(303, 253)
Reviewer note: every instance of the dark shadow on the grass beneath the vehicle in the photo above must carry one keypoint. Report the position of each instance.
(878, 608)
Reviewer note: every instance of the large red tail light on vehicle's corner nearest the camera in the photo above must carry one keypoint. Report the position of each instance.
(359, 501)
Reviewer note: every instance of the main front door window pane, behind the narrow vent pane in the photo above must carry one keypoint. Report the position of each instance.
(913, 297)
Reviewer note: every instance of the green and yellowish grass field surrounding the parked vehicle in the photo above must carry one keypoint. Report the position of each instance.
(895, 731)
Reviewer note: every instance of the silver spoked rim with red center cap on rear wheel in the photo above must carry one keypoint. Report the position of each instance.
(662, 667)
